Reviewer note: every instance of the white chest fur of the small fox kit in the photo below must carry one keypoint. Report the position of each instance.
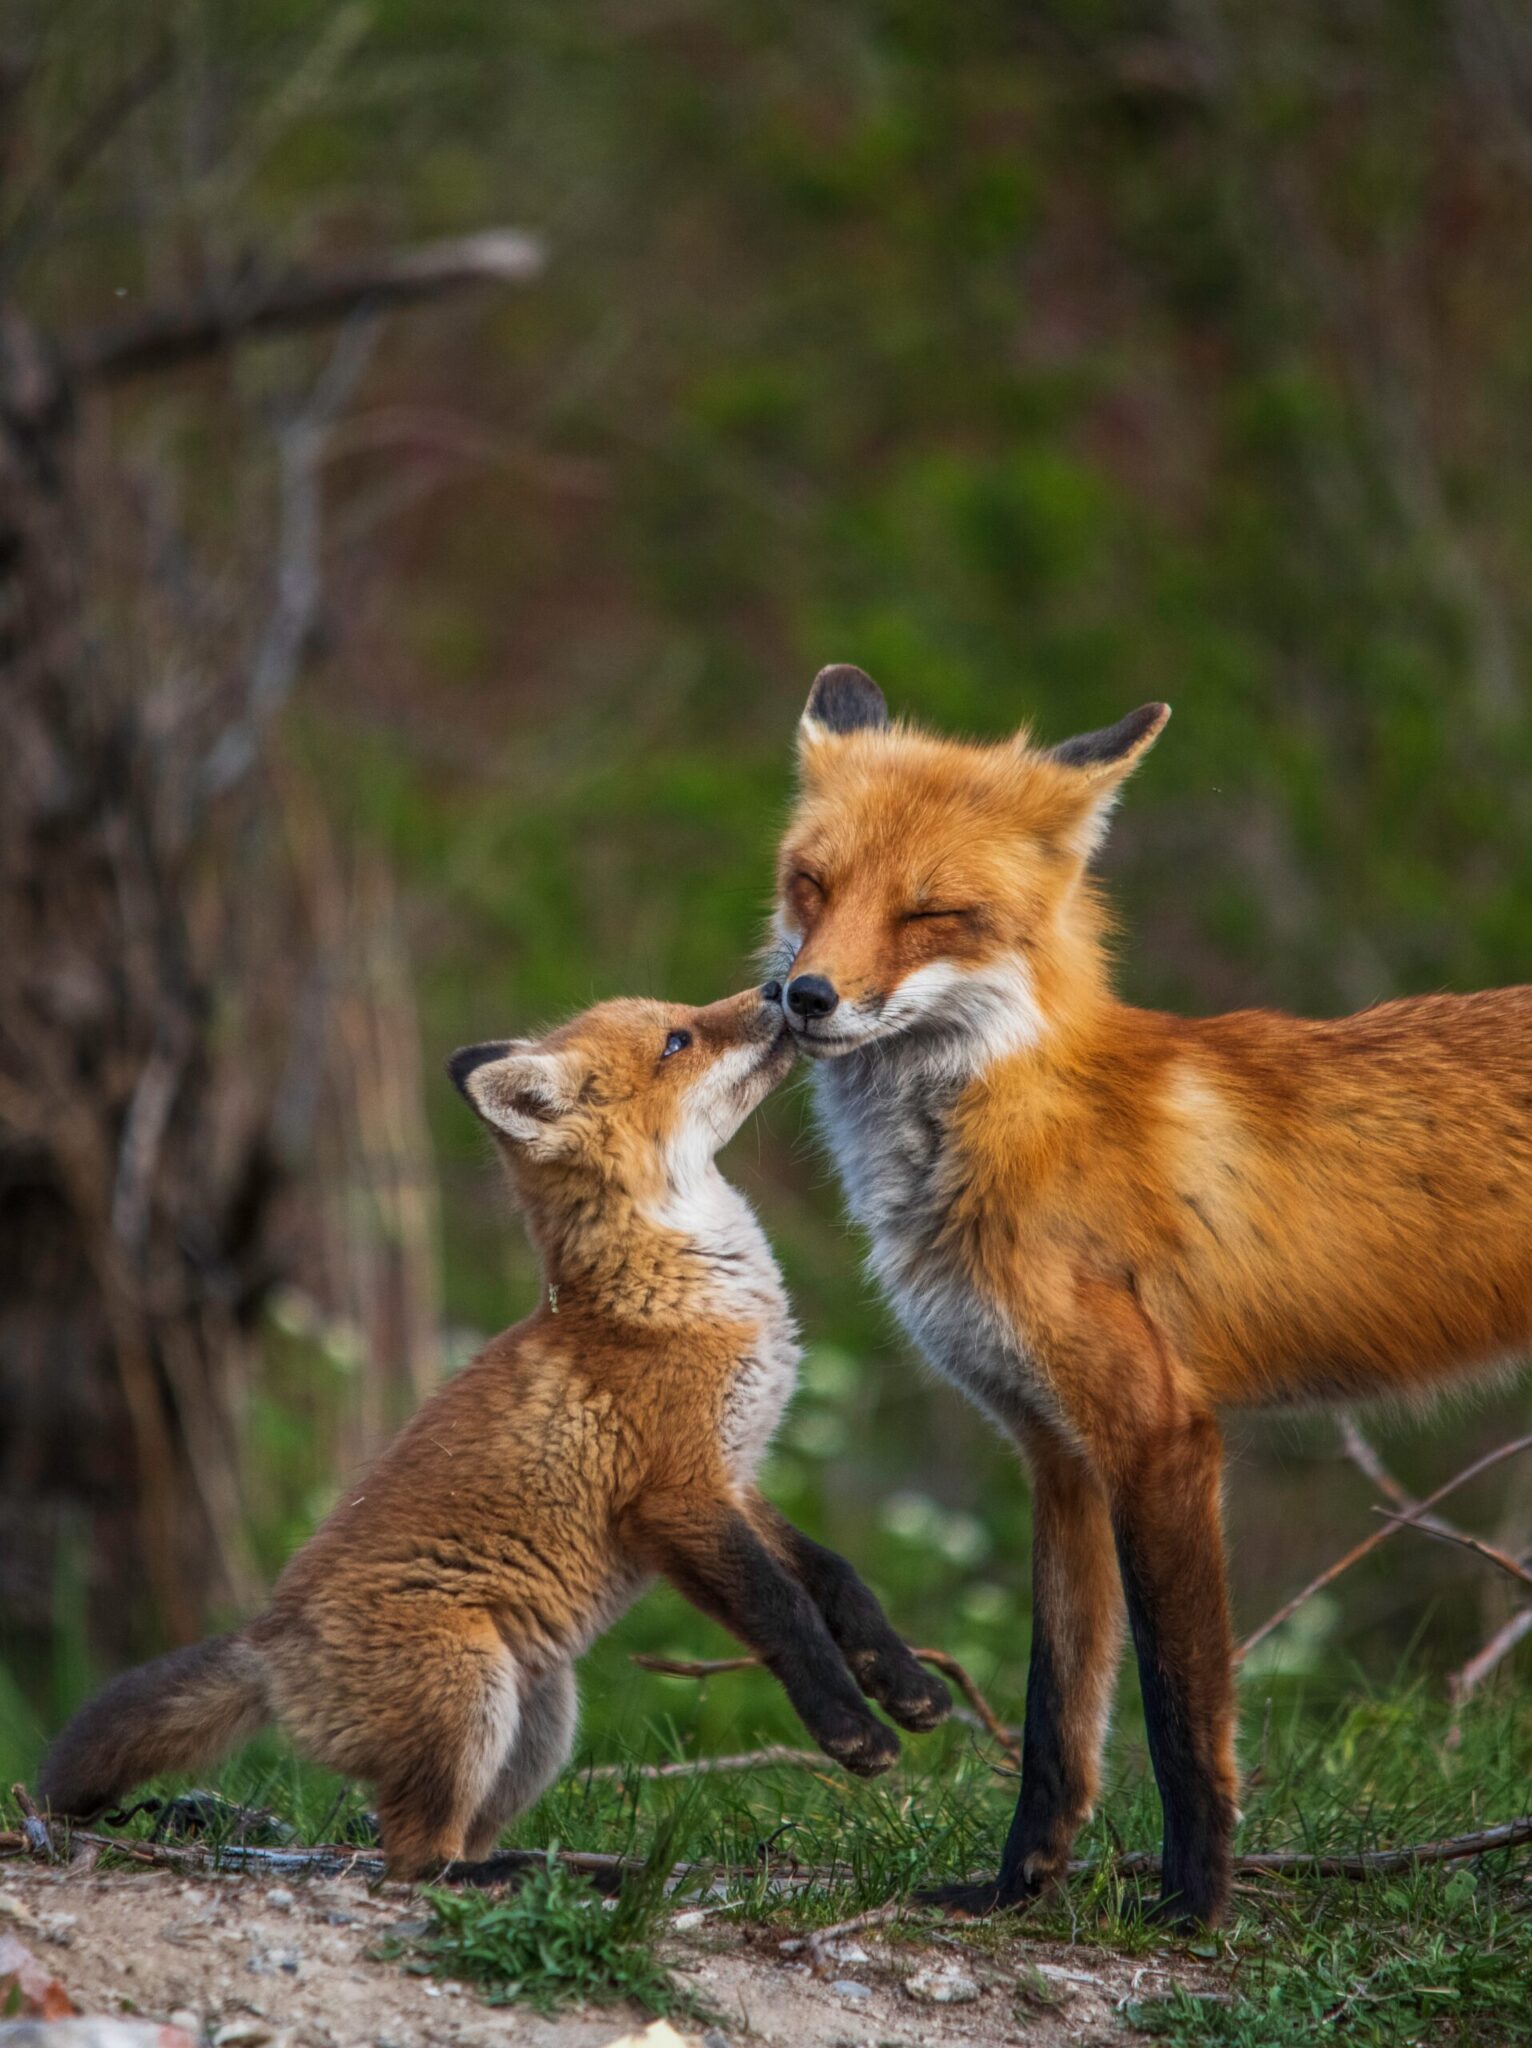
(744, 1285)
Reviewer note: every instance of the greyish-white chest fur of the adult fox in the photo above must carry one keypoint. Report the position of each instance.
(886, 1115)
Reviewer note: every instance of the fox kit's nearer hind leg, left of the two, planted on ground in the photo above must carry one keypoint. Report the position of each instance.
(452, 1736)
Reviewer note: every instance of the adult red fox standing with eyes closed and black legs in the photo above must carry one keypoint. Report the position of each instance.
(1107, 1224)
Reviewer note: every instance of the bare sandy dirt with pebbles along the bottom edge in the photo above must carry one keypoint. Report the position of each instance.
(243, 1963)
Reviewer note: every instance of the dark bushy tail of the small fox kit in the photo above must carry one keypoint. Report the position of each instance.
(177, 1713)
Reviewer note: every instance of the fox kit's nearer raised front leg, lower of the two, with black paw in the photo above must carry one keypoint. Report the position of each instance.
(712, 1553)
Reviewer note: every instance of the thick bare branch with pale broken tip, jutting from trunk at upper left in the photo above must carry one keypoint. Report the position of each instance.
(169, 337)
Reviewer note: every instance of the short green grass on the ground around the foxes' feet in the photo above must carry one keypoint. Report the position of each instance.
(1437, 1955)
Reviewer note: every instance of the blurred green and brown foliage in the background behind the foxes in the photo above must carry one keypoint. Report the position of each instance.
(1039, 359)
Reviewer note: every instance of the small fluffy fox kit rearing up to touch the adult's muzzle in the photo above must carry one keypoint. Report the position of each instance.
(425, 1637)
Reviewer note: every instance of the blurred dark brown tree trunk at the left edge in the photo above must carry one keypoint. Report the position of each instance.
(136, 1187)
